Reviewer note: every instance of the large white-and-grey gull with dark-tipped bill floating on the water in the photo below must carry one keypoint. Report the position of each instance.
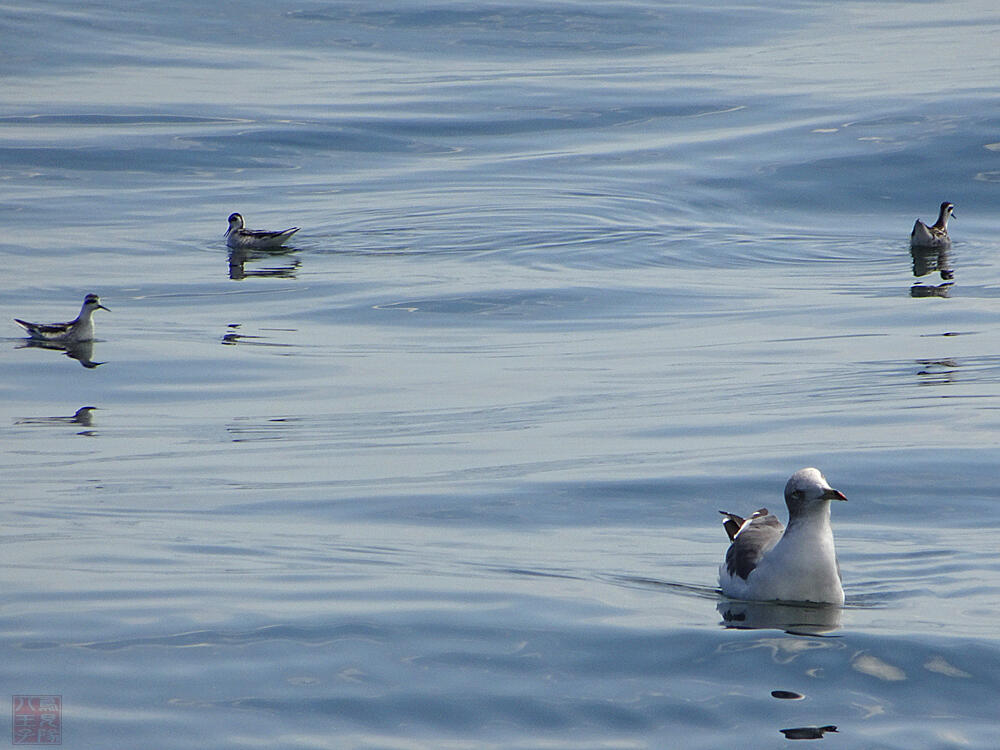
(799, 564)
